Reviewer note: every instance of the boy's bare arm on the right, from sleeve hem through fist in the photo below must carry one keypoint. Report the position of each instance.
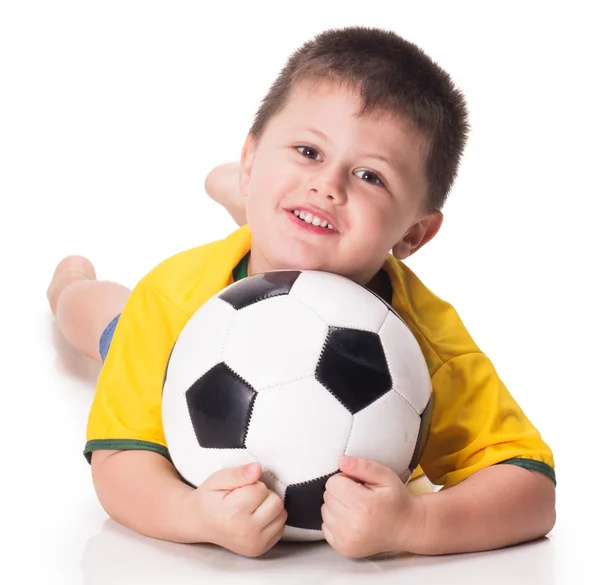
(368, 510)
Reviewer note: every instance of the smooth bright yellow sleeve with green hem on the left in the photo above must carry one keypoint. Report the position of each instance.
(126, 410)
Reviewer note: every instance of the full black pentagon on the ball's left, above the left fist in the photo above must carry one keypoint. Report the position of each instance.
(220, 405)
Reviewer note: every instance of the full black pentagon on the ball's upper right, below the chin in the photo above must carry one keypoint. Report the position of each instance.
(353, 367)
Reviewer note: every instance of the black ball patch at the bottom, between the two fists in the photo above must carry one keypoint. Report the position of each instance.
(303, 502)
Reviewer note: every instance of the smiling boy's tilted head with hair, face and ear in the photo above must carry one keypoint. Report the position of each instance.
(365, 133)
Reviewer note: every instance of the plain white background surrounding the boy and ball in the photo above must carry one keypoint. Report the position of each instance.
(111, 115)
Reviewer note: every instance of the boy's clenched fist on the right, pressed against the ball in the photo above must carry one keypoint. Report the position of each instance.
(368, 510)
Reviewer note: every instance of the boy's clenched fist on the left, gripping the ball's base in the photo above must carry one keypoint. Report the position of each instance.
(237, 511)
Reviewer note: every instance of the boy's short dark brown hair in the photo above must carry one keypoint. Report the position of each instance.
(393, 75)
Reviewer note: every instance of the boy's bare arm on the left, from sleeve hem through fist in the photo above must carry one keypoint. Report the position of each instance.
(232, 508)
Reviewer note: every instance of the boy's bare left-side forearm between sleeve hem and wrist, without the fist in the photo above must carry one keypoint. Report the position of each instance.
(143, 491)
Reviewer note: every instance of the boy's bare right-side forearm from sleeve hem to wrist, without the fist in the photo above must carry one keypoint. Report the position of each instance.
(496, 507)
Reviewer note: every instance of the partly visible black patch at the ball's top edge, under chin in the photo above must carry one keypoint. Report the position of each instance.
(259, 287)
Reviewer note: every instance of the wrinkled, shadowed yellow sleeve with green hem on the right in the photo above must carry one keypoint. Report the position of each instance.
(476, 423)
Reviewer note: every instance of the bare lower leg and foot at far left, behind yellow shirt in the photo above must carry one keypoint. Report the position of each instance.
(82, 305)
